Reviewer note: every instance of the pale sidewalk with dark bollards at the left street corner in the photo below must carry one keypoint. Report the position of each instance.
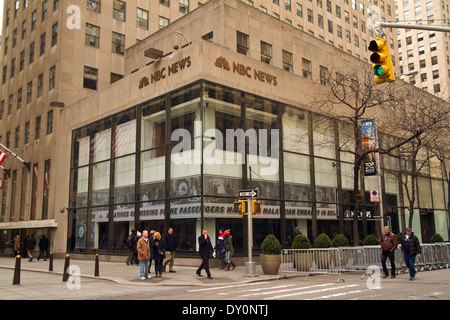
(120, 273)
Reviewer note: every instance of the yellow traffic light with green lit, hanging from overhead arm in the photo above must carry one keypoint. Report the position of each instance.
(381, 58)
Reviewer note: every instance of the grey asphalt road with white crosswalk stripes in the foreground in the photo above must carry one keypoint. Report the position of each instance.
(431, 285)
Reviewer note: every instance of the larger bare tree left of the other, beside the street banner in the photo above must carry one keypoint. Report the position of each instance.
(353, 96)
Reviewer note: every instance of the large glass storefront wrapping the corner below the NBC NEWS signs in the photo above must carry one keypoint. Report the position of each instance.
(179, 160)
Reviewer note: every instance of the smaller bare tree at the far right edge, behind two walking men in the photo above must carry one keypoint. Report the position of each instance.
(417, 119)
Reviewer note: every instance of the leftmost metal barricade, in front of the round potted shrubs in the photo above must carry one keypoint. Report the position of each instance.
(311, 261)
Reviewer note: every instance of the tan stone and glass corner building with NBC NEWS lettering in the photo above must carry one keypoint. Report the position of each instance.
(173, 140)
